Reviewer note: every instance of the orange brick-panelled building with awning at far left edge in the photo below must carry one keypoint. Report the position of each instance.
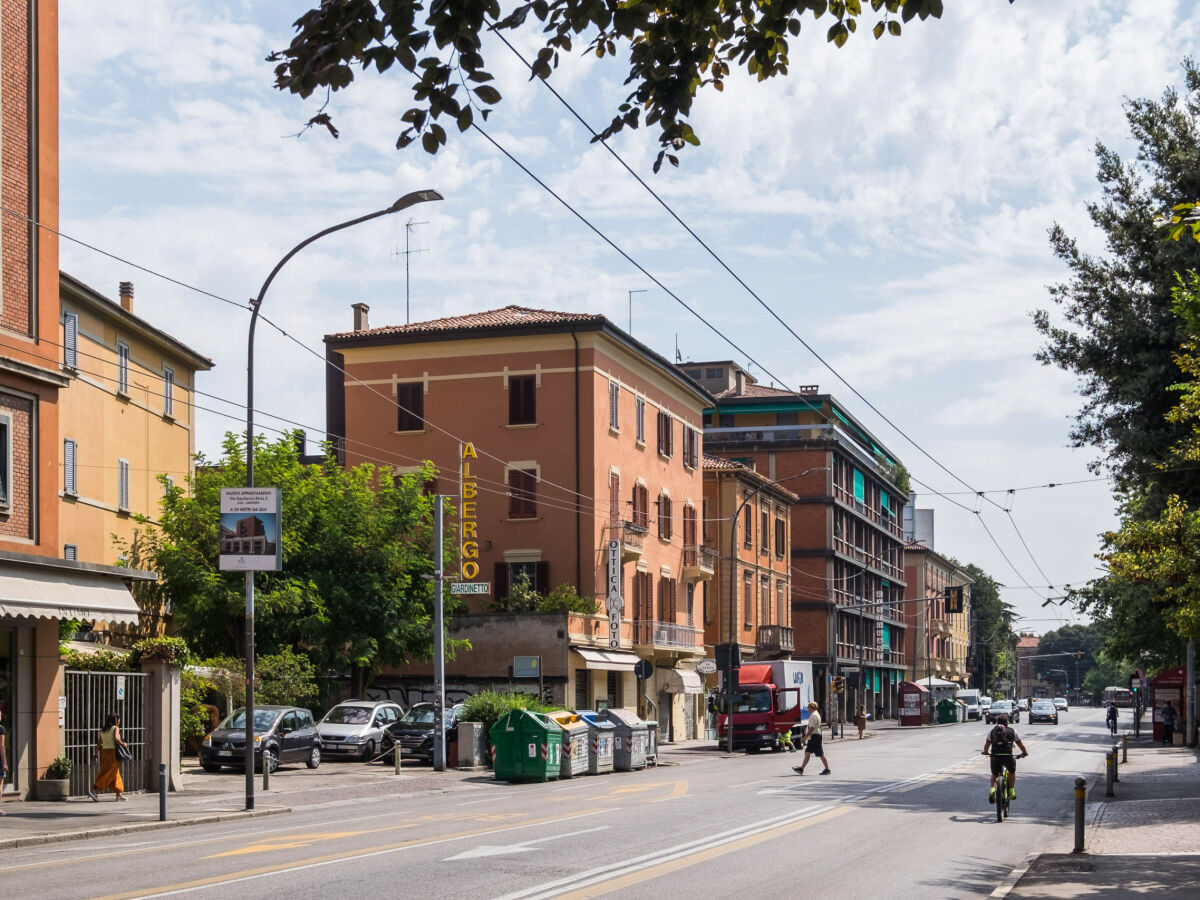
(38, 586)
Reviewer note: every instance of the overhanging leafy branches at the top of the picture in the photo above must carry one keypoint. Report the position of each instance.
(675, 49)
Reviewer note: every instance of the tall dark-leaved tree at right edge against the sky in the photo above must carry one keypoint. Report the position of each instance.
(1123, 332)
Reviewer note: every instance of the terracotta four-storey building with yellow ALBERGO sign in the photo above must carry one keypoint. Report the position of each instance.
(573, 453)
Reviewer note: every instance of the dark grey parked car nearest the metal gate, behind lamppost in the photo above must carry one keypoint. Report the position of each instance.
(281, 735)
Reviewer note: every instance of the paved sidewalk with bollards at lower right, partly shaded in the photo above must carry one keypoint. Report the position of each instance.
(1145, 841)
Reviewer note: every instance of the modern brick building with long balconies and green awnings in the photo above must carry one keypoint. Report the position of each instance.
(847, 565)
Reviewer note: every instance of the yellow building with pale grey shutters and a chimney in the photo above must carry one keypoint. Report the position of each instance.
(127, 418)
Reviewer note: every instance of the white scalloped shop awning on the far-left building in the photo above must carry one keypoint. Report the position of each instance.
(64, 595)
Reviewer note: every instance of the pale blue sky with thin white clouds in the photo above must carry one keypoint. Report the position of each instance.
(890, 201)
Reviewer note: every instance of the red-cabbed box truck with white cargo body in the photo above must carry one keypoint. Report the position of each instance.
(771, 699)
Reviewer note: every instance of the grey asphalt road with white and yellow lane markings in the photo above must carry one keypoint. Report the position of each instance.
(904, 814)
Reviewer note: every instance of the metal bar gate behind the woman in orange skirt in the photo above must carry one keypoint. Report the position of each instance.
(91, 698)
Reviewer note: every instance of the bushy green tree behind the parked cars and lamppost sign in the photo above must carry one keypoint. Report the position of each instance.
(357, 544)
